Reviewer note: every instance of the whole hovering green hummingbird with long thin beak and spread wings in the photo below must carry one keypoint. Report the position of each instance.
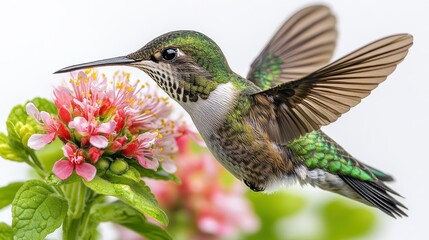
(265, 128)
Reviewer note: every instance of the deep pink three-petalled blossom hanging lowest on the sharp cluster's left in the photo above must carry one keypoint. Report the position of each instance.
(75, 160)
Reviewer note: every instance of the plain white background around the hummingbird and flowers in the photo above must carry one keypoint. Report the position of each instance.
(387, 130)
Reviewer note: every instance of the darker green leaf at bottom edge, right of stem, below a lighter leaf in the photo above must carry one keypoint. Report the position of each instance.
(127, 216)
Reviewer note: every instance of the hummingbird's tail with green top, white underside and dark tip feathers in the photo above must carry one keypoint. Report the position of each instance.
(331, 168)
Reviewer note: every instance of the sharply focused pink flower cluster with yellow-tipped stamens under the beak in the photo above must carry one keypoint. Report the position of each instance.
(100, 118)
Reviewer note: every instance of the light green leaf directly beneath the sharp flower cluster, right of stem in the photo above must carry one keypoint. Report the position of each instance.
(135, 195)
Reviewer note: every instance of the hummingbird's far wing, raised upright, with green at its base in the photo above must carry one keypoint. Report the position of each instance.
(303, 44)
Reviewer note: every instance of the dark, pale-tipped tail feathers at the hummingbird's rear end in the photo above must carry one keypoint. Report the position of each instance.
(377, 194)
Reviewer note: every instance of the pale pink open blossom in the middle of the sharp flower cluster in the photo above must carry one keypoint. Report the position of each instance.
(92, 130)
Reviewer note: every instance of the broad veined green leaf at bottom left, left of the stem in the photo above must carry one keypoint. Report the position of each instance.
(37, 211)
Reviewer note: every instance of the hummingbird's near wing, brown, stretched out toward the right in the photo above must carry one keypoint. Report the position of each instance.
(292, 109)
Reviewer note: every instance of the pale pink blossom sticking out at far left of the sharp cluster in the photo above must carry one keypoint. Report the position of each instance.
(53, 127)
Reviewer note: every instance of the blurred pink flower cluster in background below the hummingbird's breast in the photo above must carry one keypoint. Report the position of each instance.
(214, 209)
